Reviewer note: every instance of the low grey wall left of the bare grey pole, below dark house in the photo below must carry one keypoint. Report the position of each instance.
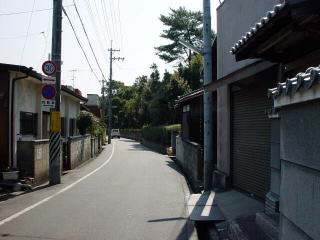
(189, 157)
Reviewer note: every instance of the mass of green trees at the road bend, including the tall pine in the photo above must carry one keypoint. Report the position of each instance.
(150, 100)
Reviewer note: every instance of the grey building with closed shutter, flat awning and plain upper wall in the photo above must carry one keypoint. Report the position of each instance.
(243, 127)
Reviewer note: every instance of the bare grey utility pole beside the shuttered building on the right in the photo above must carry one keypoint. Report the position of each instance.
(207, 98)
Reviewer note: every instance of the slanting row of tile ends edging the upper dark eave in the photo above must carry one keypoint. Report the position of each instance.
(258, 26)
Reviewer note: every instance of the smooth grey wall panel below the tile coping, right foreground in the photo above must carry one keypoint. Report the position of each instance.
(300, 171)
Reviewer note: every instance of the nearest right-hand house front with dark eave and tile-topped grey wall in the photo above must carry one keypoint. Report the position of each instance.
(288, 36)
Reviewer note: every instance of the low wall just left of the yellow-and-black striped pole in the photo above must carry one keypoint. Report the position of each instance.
(33, 160)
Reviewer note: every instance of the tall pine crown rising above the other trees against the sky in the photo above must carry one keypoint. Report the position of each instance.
(181, 24)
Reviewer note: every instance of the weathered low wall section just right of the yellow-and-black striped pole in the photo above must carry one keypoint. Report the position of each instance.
(79, 150)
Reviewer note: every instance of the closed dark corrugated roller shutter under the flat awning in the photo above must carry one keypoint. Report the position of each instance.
(251, 131)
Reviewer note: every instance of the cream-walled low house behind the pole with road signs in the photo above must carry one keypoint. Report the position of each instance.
(23, 118)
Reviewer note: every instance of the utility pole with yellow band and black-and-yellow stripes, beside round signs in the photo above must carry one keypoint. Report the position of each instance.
(55, 132)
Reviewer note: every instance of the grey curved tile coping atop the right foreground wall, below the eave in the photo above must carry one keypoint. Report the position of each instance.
(301, 81)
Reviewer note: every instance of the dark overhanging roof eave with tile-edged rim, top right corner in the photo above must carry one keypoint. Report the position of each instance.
(276, 36)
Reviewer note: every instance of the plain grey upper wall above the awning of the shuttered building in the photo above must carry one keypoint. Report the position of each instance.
(234, 19)
